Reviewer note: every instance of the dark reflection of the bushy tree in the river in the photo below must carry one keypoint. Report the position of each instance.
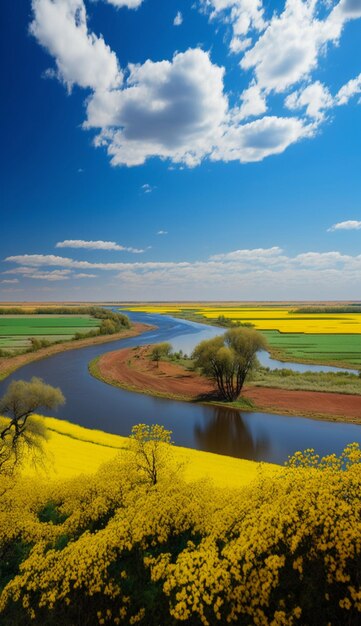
(227, 433)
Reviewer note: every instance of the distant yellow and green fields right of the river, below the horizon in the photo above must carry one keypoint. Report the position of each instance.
(315, 337)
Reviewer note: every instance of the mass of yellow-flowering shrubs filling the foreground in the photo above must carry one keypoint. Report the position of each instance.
(108, 549)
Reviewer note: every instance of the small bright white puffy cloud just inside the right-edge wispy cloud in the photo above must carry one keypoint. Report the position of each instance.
(316, 98)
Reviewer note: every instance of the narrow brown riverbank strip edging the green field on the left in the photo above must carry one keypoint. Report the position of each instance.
(12, 363)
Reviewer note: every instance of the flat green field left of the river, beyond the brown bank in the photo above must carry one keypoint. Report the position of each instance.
(16, 331)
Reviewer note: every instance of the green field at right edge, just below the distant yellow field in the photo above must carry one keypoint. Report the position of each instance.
(322, 348)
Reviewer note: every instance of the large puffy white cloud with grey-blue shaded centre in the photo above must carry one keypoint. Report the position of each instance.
(170, 109)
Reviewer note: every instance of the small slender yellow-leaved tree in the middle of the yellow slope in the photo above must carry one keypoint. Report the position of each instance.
(150, 448)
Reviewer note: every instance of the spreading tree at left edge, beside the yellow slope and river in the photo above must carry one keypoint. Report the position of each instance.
(20, 430)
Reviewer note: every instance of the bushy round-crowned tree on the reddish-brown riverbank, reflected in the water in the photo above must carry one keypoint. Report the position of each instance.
(229, 359)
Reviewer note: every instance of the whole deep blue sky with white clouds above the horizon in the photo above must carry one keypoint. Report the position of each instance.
(180, 150)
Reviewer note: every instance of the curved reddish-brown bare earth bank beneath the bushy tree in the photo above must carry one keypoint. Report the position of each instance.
(132, 369)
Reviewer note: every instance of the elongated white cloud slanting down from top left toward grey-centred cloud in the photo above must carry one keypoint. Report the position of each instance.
(81, 57)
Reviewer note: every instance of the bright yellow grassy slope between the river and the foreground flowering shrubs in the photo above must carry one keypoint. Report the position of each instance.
(72, 450)
